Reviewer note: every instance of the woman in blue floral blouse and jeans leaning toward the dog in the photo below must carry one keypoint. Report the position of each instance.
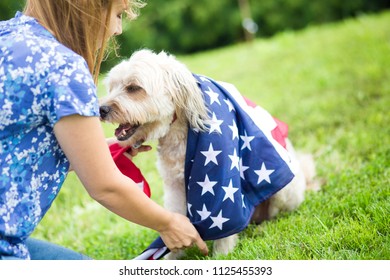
(49, 63)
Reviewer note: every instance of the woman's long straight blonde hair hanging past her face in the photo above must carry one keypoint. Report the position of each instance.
(76, 24)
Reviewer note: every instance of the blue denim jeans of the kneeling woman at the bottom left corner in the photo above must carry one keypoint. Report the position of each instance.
(43, 250)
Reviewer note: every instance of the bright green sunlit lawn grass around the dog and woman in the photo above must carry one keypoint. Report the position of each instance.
(331, 84)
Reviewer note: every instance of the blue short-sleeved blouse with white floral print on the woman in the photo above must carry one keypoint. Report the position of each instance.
(41, 81)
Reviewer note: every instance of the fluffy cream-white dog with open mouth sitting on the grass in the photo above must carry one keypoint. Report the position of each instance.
(154, 96)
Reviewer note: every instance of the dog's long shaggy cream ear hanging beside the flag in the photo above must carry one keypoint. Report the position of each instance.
(187, 96)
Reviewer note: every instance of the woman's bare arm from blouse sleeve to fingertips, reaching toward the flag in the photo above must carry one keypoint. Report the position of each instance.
(82, 140)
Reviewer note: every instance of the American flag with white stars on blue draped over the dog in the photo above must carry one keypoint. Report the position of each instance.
(238, 163)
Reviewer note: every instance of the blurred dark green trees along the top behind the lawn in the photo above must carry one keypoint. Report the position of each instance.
(188, 26)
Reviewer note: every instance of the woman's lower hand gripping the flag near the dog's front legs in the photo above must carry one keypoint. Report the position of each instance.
(181, 234)
